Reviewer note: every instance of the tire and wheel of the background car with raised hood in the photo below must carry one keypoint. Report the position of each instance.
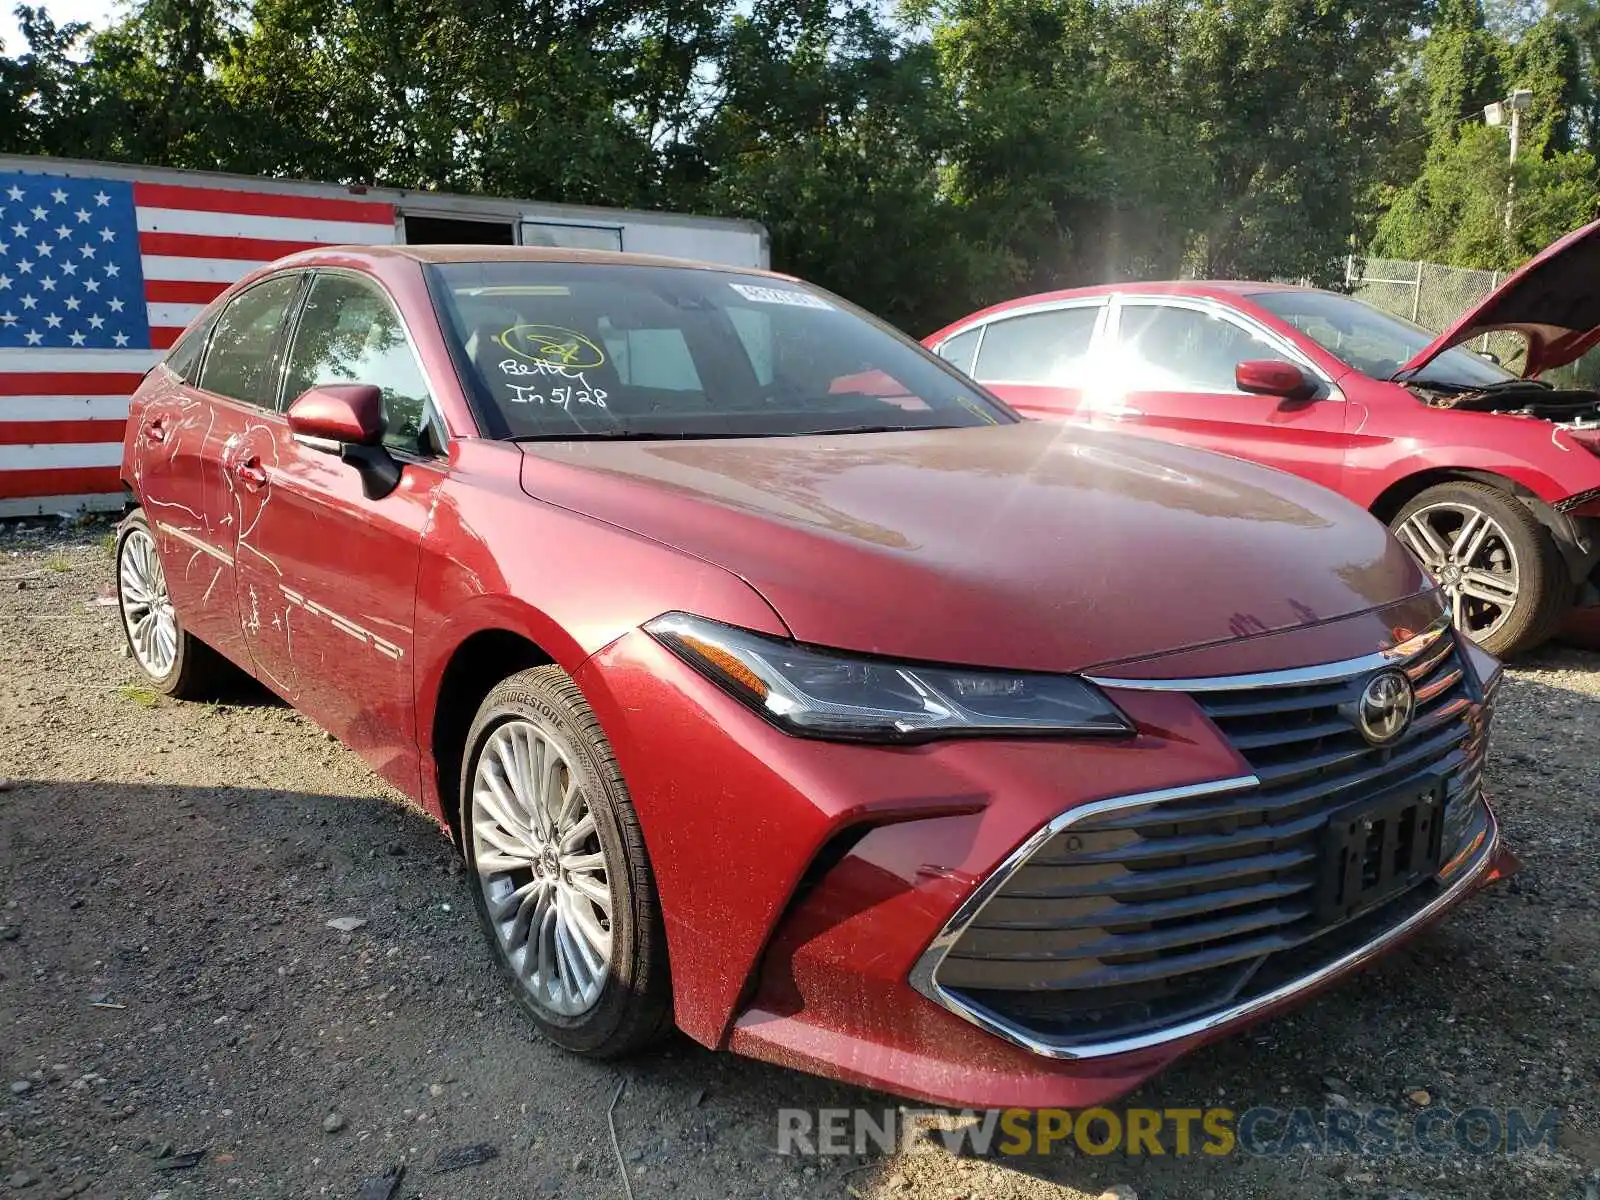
(1498, 566)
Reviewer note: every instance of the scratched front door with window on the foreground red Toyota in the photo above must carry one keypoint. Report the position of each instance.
(329, 577)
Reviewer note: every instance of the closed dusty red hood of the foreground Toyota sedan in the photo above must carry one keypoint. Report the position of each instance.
(1014, 546)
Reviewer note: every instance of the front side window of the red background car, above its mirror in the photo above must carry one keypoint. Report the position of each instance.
(1170, 350)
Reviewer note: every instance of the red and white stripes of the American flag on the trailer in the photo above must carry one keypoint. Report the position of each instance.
(63, 412)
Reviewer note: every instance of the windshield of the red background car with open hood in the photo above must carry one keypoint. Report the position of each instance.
(1377, 343)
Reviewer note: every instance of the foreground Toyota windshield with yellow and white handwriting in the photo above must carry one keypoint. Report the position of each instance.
(593, 350)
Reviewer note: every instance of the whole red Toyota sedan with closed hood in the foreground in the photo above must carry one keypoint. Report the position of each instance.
(780, 684)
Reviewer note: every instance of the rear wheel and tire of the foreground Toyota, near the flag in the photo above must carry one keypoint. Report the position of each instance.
(172, 658)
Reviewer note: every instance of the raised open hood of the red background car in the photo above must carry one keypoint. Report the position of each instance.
(1551, 300)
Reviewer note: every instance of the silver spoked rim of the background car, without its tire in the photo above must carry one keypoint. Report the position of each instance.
(1473, 561)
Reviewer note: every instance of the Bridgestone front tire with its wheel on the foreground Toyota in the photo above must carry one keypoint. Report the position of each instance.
(562, 884)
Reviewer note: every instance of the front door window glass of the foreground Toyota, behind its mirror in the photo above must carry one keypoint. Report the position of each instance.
(350, 334)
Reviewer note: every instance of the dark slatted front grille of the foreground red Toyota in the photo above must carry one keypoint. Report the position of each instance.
(1135, 918)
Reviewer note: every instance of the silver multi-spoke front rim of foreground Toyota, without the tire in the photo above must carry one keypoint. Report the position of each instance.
(542, 868)
